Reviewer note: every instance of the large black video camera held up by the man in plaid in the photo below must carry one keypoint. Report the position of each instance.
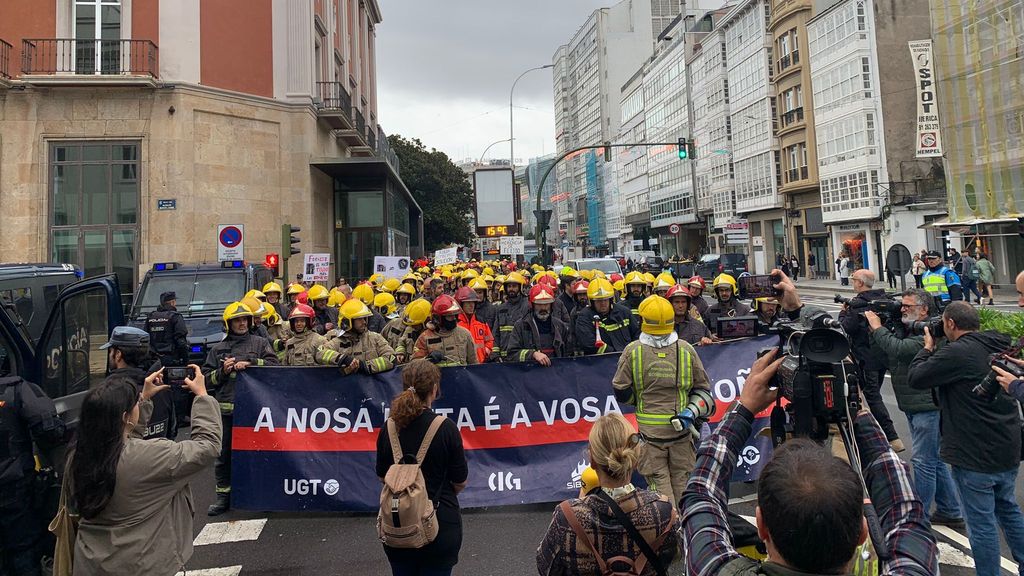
(817, 377)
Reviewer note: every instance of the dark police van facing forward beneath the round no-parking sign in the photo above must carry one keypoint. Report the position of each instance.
(203, 292)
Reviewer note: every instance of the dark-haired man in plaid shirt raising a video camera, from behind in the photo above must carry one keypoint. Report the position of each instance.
(809, 504)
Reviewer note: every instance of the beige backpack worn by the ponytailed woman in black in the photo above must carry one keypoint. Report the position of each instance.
(408, 519)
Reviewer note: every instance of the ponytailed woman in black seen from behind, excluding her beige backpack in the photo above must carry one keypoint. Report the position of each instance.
(445, 469)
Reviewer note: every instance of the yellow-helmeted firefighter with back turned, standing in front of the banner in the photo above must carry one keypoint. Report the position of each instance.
(663, 378)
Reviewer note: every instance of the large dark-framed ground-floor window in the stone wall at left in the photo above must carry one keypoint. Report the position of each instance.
(95, 196)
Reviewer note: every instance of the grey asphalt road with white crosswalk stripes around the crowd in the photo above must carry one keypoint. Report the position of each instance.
(497, 541)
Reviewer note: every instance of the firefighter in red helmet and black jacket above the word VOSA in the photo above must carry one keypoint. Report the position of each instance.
(541, 336)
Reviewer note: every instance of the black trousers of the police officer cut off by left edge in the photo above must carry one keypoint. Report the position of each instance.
(20, 530)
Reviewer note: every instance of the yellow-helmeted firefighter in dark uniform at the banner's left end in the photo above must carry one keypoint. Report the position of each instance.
(237, 352)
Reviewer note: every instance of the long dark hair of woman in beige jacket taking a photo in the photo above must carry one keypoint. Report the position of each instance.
(99, 442)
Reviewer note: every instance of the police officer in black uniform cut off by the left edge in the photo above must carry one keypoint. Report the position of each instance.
(27, 416)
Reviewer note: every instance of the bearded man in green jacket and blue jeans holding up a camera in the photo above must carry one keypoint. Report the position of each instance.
(931, 477)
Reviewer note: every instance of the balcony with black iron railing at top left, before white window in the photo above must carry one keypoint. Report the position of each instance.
(50, 61)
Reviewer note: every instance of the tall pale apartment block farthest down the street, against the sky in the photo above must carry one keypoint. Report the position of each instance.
(589, 72)
